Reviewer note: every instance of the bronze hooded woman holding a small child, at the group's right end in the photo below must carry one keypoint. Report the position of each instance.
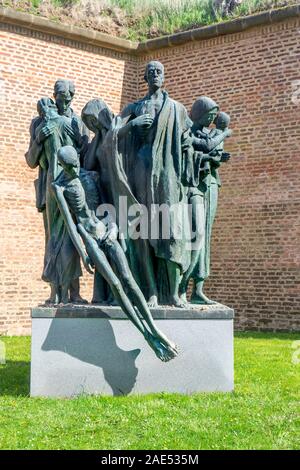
(202, 177)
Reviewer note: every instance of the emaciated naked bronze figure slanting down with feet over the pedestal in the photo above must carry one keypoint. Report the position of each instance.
(74, 190)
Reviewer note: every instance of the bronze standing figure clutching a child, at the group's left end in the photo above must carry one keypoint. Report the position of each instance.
(56, 125)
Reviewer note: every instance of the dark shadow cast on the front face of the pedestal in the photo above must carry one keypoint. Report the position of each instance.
(80, 339)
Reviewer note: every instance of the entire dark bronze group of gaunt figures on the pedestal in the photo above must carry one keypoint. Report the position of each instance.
(164, 164)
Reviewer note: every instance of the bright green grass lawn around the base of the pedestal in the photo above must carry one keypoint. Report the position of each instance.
(262, 413)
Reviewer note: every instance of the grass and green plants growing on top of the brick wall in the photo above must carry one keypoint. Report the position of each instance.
(140, 19)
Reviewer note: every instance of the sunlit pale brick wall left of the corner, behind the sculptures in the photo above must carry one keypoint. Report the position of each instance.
(30, 63)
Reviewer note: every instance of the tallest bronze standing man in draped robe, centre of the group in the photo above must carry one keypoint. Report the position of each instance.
(153, 163)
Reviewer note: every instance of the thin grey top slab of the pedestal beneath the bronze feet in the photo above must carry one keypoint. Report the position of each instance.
(198, 312)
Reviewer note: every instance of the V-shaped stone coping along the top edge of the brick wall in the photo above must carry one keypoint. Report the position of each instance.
(37, 23)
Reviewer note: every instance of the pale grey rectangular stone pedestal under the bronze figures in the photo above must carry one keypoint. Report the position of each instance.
(97, 350)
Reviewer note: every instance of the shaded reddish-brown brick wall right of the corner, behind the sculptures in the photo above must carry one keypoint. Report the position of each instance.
(256, 236)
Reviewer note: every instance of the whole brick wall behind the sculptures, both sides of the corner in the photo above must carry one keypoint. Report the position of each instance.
(255, 252)
